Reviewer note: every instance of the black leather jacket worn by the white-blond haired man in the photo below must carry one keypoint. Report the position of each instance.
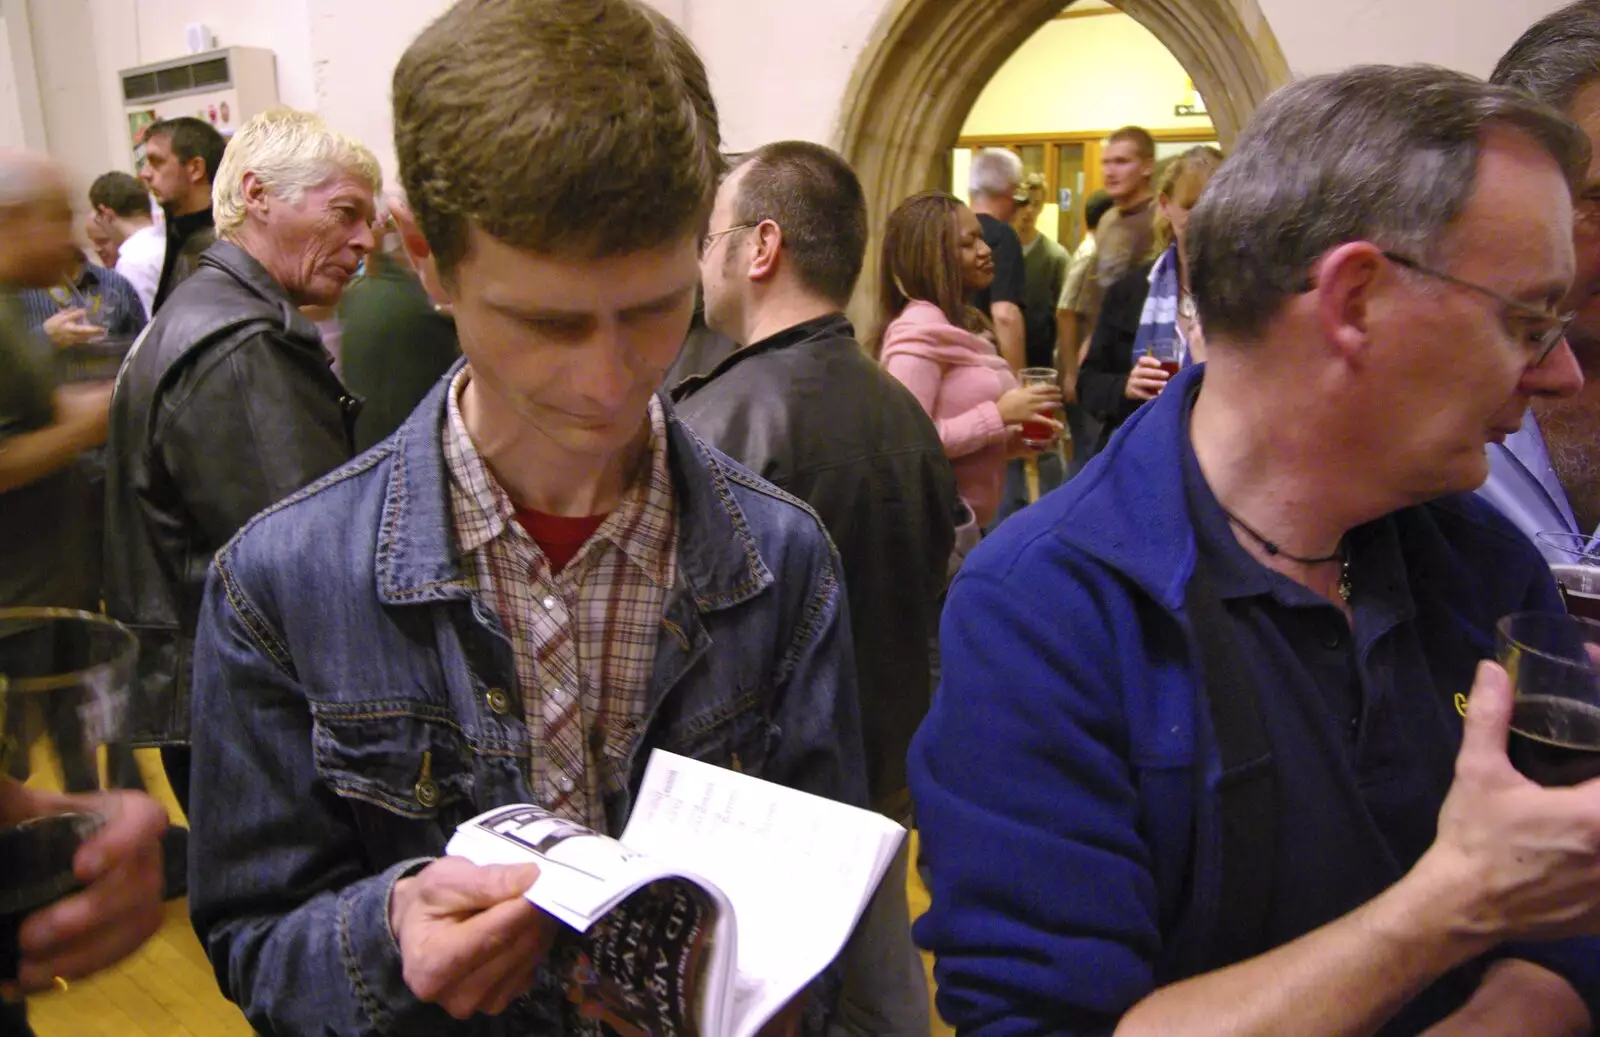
(226, 406)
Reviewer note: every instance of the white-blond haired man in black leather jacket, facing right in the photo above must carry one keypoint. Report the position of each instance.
(228, 402)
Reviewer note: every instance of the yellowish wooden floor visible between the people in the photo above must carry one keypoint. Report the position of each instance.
(167, 990)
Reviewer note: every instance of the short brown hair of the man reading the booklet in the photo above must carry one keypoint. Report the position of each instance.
(556, 126)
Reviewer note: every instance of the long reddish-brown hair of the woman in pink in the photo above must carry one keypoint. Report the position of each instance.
(922, 260)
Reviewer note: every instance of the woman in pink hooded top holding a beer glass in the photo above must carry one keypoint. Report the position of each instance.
(935, 258)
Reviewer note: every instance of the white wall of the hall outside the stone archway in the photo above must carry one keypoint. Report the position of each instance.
(780, 68)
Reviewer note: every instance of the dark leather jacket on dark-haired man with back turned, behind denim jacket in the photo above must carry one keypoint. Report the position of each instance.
(810, 412)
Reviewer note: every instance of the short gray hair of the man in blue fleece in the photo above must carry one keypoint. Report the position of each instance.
(1375, 154)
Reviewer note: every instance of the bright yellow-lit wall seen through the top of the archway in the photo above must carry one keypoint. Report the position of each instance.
(1082, 74)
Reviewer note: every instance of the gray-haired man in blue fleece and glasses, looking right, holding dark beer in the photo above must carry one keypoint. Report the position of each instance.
(1377, 270)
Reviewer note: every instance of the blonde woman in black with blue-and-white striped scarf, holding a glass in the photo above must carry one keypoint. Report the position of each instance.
(1150, 314)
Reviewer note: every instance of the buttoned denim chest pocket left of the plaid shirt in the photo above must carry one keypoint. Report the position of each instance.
(409, 759)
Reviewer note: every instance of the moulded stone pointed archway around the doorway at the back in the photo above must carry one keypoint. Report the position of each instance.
(930, 60)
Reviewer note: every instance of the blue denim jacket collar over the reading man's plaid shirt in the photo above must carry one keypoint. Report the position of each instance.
(418, 563)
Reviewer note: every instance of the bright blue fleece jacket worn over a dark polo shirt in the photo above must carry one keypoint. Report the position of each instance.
(1066, 775)
